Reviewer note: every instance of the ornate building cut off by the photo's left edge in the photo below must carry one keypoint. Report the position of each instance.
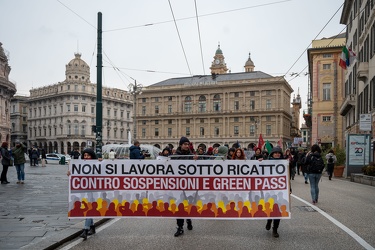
(7, 90)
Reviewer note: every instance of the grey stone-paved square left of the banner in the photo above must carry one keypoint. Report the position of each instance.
(34, 215)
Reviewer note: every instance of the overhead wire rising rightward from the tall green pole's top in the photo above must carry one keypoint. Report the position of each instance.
(186, 18)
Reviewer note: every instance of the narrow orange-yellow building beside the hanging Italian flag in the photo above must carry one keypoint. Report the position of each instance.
(327, 91)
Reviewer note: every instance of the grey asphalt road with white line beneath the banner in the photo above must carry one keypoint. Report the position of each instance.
(343, 219)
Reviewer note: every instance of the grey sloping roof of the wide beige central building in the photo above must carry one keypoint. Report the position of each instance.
(198, 79)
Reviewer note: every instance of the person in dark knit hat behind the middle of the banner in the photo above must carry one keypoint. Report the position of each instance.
(183, 152)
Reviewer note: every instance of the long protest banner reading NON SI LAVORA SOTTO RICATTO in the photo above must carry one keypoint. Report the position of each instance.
(207, 189)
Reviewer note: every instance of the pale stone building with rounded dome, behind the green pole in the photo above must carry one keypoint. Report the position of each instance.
(61, 116)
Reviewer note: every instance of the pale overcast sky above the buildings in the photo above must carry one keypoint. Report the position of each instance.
(41, 37)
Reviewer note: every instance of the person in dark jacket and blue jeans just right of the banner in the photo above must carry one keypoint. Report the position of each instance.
(315, 166)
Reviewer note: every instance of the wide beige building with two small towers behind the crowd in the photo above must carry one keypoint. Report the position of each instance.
(222, 108)
